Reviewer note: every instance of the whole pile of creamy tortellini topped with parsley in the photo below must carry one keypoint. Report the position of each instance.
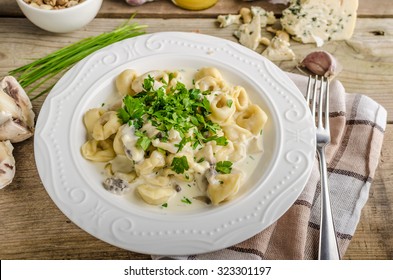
(161, 162)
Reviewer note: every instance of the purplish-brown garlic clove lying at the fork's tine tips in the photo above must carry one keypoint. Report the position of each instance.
(321, 63)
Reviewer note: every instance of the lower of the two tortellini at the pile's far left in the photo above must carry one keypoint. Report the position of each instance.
(100, 151)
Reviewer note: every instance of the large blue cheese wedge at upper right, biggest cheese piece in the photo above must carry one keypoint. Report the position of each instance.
(318, 21)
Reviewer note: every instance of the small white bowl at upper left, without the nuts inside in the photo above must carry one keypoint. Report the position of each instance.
(64, 20)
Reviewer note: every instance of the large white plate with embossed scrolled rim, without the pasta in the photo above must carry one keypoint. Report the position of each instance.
(75, 185)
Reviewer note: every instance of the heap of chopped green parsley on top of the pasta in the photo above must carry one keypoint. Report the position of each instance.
(184, 110)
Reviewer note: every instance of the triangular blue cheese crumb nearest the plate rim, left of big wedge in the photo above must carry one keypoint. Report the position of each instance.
(249, 34)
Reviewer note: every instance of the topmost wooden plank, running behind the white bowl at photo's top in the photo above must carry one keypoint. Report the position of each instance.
(165, 8)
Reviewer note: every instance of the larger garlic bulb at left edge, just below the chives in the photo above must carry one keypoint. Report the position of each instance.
(16, 114)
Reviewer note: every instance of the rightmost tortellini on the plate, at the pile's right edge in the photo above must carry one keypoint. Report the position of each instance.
(252, 119)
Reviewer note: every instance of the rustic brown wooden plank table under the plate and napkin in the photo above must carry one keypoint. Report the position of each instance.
(32, 227)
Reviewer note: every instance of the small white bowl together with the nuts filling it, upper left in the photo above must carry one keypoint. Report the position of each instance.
(60, 16)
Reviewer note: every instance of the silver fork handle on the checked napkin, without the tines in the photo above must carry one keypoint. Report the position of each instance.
(328, 249)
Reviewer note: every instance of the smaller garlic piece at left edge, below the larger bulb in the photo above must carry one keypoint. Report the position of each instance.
(7, 164)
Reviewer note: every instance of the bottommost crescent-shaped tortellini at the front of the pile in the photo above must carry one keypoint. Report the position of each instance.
(155, 195)
